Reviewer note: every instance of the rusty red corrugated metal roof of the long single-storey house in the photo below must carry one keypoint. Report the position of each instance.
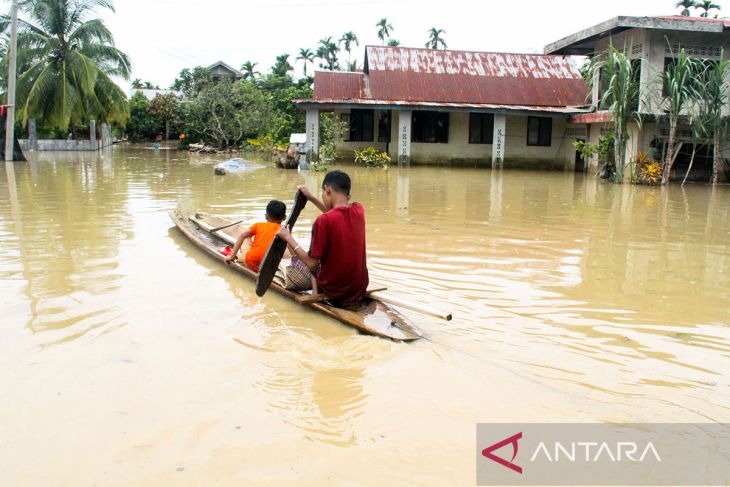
(428, 76)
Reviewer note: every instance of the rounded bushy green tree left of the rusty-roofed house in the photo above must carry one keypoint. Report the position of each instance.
(225, 114)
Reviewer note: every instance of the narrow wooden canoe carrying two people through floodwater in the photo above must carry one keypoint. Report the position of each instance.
(370, 316)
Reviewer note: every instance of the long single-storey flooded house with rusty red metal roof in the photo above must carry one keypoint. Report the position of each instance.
(442, 106)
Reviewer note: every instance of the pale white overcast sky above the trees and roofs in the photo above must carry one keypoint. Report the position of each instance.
(164, 36)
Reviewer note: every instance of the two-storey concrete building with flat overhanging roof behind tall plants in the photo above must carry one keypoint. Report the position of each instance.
(652, 43)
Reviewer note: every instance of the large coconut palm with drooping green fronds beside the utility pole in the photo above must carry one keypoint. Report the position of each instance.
(72, 60)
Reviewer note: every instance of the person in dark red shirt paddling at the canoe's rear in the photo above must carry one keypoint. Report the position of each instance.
(336, 255)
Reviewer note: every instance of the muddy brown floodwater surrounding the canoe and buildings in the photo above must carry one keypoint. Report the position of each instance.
(127, 357)
